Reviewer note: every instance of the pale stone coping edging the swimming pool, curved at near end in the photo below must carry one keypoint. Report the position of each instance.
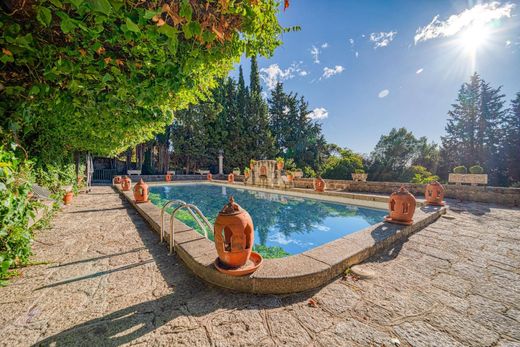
(296, 273)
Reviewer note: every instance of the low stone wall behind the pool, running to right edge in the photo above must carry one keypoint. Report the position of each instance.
(498, 195)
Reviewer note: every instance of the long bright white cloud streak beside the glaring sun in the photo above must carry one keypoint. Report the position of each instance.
(478, 15)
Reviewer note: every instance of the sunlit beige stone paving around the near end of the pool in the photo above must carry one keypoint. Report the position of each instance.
(109, 282)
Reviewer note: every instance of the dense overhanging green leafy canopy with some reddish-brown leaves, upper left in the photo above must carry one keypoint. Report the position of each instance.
(104, 75)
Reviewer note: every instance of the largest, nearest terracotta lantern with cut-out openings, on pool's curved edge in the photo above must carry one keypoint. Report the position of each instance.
(234, 235)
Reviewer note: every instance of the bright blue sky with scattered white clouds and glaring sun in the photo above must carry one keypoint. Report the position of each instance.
(368, 66)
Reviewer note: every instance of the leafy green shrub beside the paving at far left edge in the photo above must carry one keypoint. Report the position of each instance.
(15, 211)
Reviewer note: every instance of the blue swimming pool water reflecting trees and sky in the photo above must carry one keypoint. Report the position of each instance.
(283, 224)
